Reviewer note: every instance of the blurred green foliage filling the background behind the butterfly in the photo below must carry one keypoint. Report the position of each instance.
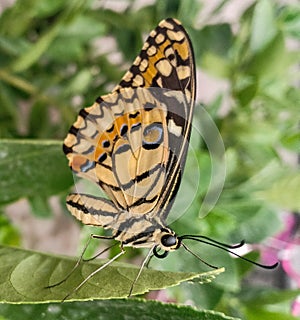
(54, 60)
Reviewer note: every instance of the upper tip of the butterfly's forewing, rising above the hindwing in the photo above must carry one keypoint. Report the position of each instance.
(165, 61)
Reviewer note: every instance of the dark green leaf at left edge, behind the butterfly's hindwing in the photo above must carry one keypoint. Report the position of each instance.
(30, 168)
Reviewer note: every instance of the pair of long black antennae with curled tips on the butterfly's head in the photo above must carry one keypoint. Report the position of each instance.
(222, 246)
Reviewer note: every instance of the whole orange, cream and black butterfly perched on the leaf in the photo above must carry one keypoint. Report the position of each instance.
(133, 144)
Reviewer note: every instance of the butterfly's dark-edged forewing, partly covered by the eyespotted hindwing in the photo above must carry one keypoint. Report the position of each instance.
(167, 61)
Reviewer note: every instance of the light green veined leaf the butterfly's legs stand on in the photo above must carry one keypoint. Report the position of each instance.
(25, 275)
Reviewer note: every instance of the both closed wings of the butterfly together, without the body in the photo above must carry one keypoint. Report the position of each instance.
(144, 131)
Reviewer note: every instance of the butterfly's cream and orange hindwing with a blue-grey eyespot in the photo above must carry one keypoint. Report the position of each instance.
(120, 144)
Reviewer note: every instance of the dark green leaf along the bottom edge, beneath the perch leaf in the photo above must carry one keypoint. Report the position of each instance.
(109, 310)
